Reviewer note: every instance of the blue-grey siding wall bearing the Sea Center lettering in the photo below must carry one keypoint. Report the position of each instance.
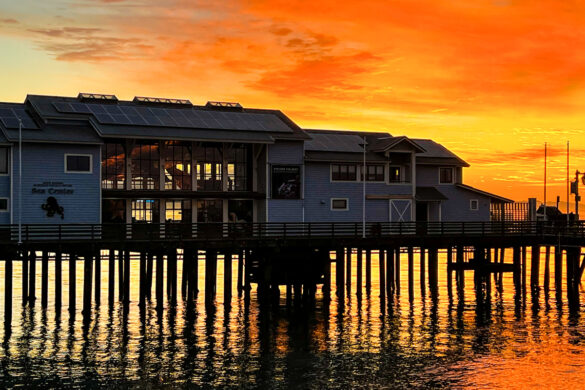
(45, 163)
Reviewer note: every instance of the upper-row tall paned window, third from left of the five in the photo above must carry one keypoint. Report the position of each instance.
(177, 166)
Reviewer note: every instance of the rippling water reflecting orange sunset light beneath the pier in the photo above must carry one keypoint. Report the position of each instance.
(446, 341)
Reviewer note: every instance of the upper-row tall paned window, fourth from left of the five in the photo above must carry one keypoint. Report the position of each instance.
(209, 167)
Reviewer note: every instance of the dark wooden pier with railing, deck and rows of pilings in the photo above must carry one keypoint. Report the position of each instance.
(296, 256)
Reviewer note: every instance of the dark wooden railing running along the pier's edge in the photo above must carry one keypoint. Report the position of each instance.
(271, 230)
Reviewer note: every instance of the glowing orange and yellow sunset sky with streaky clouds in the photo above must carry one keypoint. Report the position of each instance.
(491, 80)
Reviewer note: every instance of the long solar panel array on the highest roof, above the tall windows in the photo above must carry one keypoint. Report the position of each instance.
(110, 114)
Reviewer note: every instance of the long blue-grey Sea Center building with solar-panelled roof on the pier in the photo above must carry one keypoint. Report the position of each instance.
(97, 159)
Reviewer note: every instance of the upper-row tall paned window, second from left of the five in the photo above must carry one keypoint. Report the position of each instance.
(145, 167)
